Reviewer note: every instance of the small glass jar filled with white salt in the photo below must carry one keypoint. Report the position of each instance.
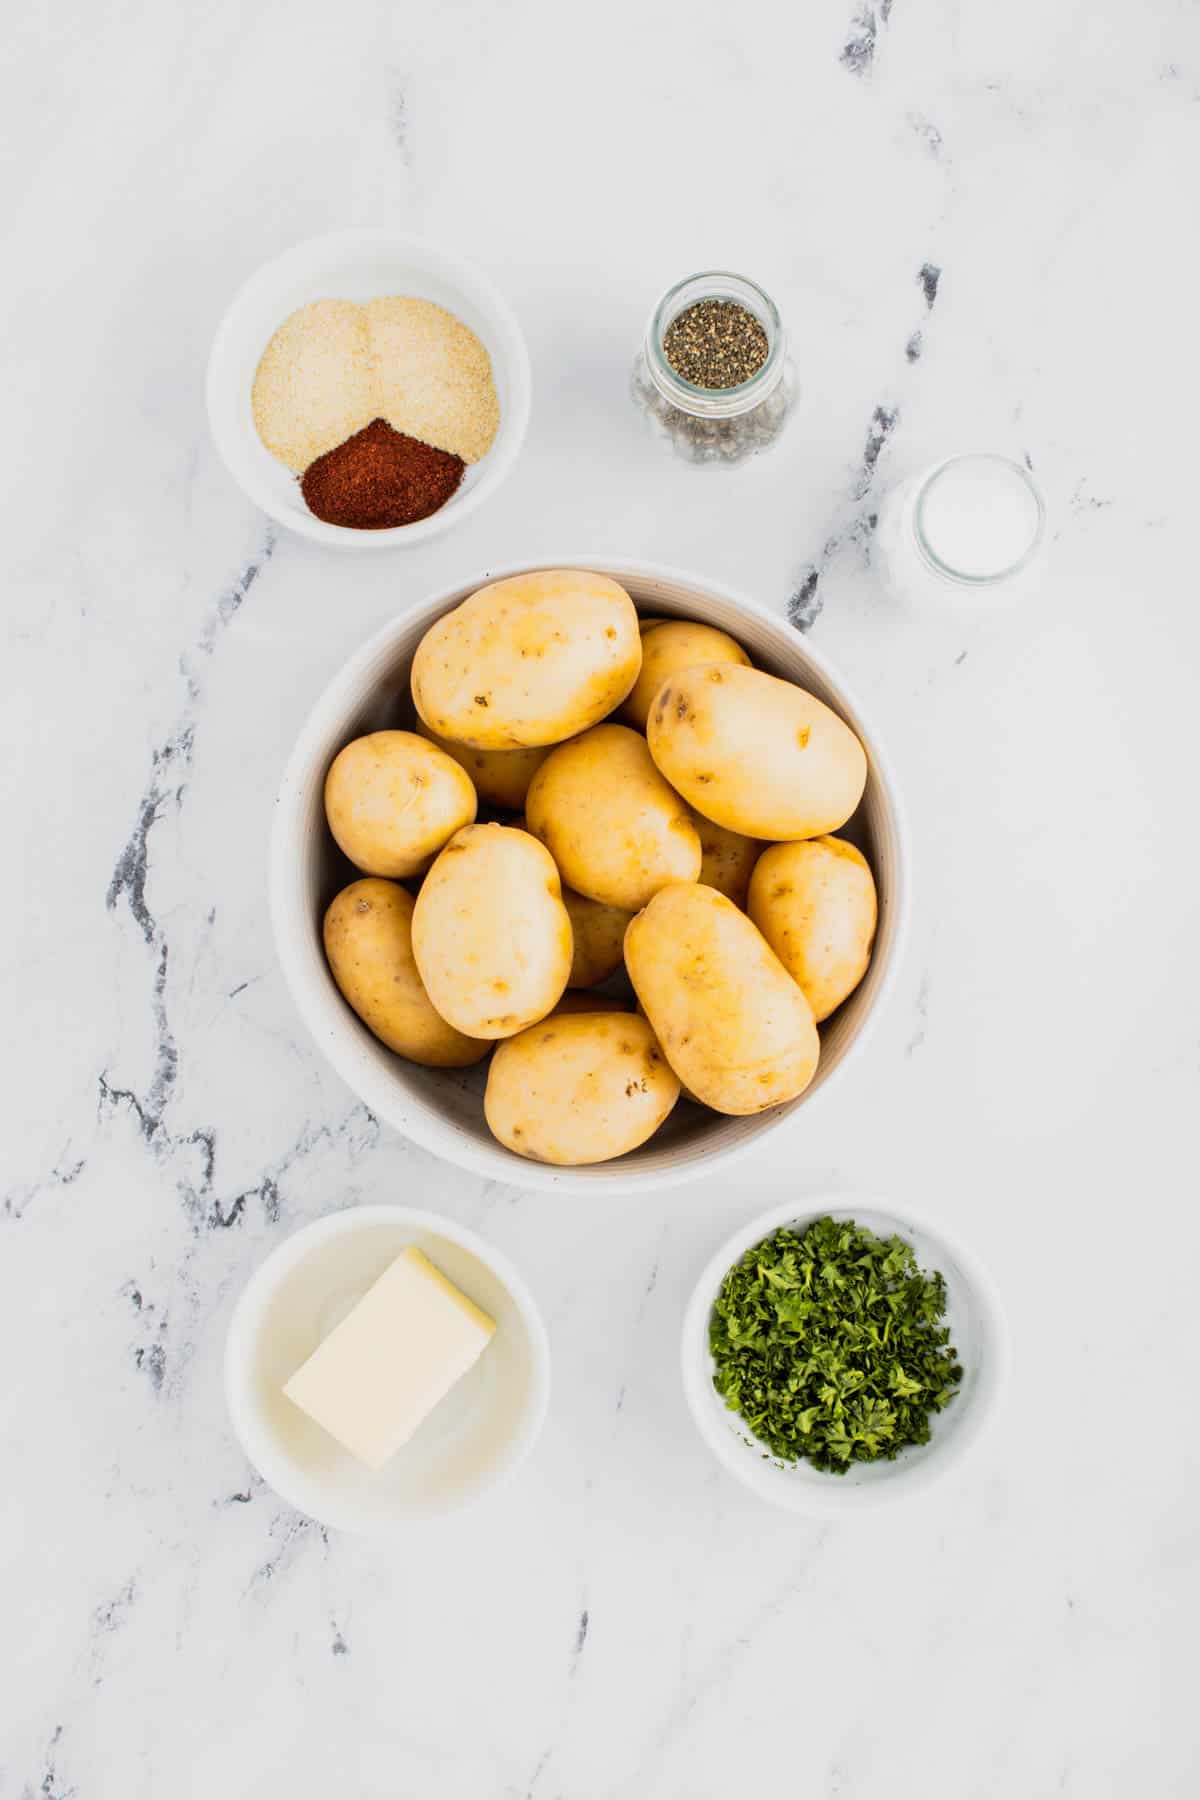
(967, 528)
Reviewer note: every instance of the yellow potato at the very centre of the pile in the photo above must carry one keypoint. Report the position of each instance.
(614, 827)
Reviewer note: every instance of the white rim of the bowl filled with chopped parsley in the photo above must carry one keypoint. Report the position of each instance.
(836, 1498)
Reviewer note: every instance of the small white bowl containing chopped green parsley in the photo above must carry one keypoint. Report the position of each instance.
(978, 1333)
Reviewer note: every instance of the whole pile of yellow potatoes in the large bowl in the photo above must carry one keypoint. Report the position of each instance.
(677, 814)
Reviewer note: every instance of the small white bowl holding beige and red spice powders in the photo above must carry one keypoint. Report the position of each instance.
(361, 265)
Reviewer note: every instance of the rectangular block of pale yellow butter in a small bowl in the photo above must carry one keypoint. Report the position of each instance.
(391, 1360)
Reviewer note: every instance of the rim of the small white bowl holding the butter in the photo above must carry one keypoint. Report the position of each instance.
(260, 1446)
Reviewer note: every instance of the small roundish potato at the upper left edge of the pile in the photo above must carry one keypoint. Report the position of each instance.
(393, 802)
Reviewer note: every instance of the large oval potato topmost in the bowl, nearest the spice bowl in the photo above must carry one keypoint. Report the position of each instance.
(528, 661)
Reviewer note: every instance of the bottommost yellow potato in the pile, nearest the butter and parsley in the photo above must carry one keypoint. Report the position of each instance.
(580, 1088)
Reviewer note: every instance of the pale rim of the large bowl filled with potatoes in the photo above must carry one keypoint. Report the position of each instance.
(327, 1023)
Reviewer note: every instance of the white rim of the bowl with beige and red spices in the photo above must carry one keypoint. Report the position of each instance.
(451, 267)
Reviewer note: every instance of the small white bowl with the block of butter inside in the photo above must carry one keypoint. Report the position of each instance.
(476, 1437)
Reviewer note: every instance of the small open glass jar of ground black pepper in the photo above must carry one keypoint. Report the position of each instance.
(713, 375)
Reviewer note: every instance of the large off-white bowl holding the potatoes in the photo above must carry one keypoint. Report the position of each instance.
(443, 1108)
